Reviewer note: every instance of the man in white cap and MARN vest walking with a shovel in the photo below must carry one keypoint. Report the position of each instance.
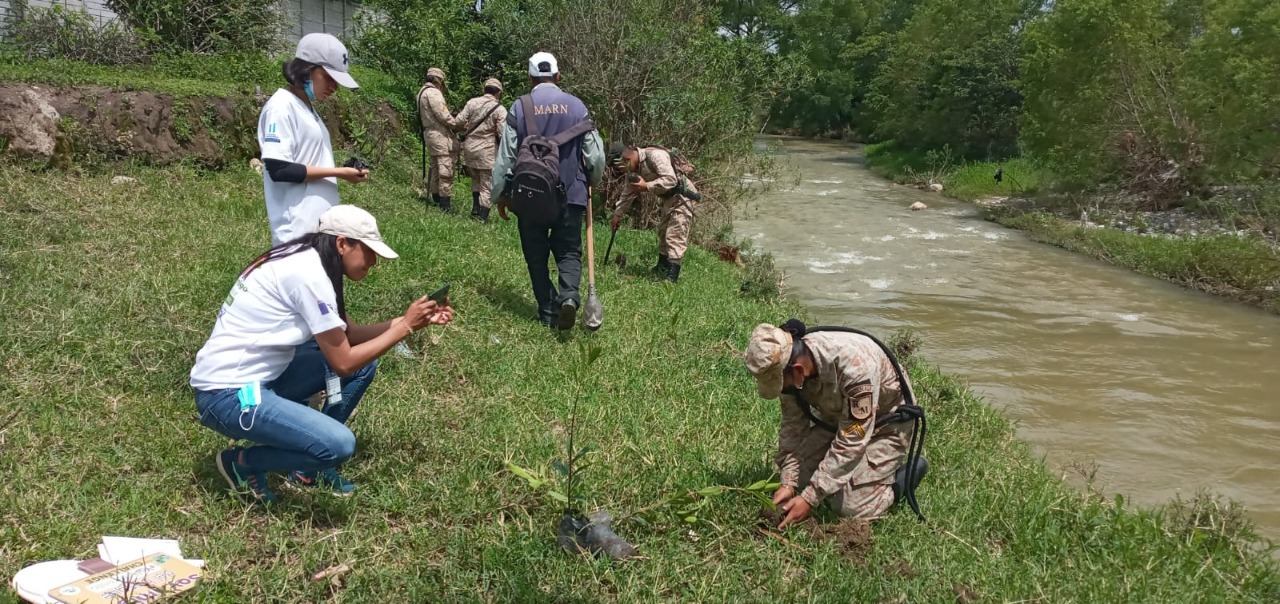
(582, 163)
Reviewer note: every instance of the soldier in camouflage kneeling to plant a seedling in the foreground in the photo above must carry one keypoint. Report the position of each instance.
(848, 382)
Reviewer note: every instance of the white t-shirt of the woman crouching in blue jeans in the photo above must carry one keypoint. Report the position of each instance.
(278, 306)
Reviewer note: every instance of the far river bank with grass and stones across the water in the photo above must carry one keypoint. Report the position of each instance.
(1226, 246)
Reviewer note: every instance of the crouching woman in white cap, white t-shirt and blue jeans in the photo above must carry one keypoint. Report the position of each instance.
(282, 336)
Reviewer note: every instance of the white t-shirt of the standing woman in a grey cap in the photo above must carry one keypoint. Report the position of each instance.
(290, 131)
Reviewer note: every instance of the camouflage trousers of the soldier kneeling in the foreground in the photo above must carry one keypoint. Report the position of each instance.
(870, 492)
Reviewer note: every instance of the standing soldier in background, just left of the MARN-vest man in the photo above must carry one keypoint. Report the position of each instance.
(481, 125)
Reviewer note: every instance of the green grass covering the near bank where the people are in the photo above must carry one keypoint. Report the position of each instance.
(108, 292)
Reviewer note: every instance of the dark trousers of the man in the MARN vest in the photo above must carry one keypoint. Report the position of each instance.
(563, 240)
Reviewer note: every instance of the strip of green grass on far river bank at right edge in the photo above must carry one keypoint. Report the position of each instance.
(1244, 269)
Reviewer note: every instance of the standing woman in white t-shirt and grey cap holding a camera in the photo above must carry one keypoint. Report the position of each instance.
(301, 180)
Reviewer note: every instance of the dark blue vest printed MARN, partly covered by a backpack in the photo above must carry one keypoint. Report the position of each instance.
(555, 112)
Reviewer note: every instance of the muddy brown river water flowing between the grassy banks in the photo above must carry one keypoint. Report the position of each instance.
(1167, 391)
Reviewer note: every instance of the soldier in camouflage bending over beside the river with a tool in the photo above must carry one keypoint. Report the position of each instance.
(678, 194)
